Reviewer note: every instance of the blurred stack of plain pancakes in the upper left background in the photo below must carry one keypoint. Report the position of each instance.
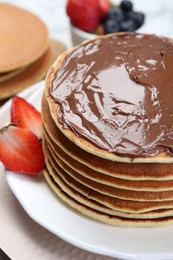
(25, 49)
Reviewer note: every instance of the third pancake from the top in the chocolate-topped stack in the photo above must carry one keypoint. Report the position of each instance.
(148, 185)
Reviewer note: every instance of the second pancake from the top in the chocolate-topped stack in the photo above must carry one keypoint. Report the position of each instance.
(129, 171)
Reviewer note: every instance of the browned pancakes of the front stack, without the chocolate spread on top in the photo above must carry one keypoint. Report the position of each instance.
(90, 181)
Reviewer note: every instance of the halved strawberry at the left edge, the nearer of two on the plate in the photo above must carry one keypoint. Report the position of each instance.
(20, 150)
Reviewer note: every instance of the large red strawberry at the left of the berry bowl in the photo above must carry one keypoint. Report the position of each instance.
(83, 14)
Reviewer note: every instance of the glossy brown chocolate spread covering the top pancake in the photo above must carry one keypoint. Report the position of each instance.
(117, 92)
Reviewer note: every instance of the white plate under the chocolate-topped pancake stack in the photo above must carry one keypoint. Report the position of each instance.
(46, 209)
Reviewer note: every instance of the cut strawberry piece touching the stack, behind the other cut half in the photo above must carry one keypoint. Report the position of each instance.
(25, 115)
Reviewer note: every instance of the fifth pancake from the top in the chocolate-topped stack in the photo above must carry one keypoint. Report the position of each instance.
(112, 202)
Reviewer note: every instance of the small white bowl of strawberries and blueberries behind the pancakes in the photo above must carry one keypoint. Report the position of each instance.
(89, 18)
